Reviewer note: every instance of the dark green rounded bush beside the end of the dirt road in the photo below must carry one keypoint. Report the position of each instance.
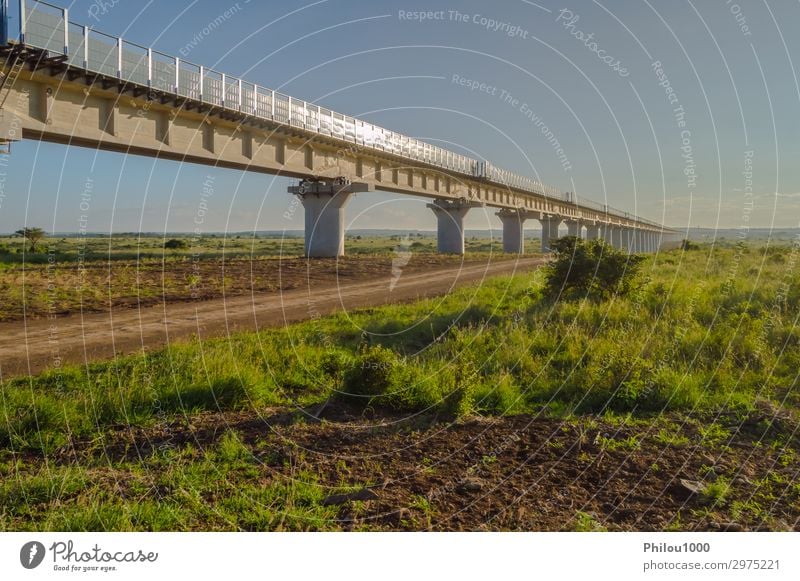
(590, 268)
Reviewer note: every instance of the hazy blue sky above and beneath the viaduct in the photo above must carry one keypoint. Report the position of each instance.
(596, 74)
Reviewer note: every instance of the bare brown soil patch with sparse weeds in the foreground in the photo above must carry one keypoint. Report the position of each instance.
(512, 473)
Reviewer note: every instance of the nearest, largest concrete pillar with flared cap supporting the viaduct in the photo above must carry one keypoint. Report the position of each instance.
(324, 204)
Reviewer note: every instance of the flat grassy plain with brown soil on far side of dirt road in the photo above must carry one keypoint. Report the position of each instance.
(95, 274)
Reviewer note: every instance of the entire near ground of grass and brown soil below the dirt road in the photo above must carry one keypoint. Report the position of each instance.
(493, 408)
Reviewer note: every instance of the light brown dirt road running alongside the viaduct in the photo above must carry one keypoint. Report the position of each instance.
(32, 346)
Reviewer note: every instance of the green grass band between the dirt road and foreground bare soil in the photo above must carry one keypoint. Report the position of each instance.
(681, 343)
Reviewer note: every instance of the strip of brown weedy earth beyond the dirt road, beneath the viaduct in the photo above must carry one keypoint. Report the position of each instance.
(33, 291)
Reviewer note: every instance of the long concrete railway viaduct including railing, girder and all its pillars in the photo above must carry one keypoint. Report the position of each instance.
(67, 83)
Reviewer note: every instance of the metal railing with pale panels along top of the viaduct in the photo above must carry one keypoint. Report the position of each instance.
(47, 27)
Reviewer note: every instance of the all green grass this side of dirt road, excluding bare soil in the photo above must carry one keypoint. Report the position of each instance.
(711, 332)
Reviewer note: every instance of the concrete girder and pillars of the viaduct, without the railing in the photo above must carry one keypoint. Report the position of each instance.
(49, 101)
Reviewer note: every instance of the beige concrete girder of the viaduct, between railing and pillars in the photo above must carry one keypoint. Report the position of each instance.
(69, 107)
